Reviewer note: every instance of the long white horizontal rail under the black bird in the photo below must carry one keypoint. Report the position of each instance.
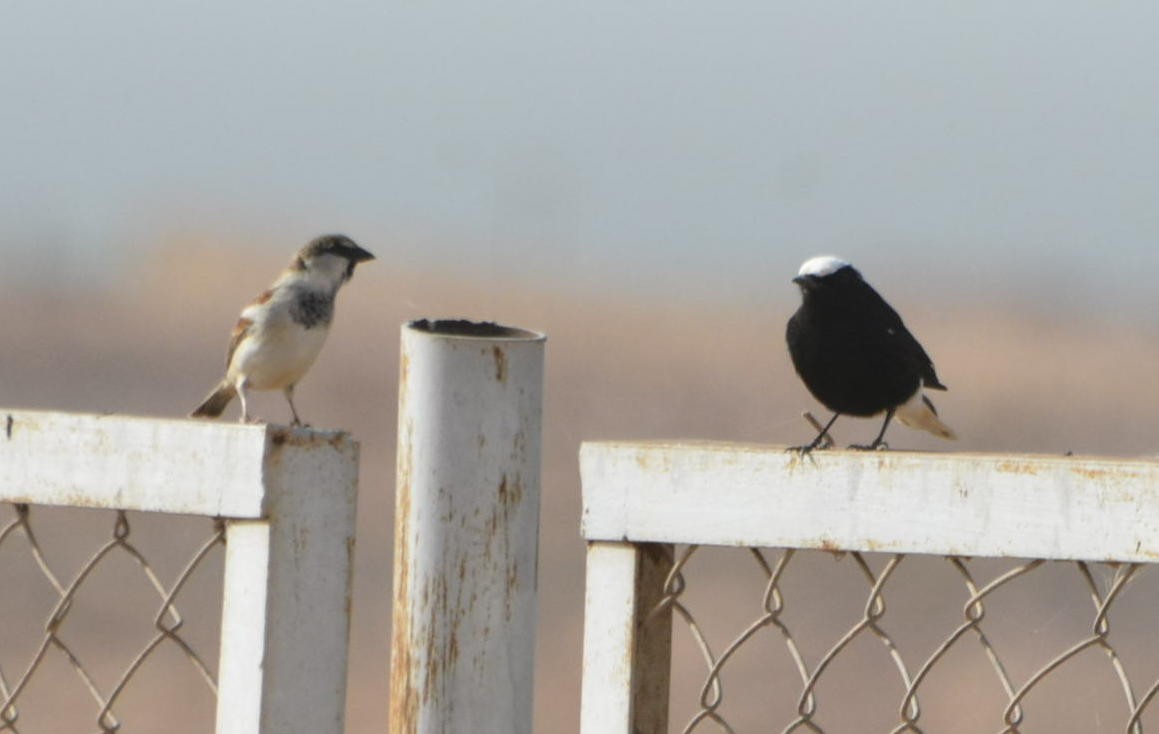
(941, 504)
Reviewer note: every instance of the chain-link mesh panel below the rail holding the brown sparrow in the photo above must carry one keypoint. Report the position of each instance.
(85, 612)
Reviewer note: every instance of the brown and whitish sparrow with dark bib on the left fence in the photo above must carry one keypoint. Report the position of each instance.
(282, 331)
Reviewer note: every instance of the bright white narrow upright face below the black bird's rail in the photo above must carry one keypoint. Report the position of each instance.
(609, 644)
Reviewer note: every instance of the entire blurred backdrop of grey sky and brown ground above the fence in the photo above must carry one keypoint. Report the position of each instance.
(640, 183)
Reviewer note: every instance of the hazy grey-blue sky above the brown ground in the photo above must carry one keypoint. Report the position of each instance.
(717, 144)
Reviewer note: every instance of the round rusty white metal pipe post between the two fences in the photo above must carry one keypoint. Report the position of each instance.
(466, 528)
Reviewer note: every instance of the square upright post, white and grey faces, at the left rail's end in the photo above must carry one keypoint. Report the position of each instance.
(287, 598)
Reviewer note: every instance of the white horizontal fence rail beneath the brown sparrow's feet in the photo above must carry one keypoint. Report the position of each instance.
(129, 463)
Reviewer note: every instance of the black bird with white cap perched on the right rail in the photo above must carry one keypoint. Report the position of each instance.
(856, 355)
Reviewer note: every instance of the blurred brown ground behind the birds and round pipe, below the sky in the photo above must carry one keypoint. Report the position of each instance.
(617, 368)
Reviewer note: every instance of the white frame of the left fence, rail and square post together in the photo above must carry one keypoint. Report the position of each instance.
(287, 499)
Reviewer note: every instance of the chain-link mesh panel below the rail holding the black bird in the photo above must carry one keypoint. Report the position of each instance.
(793, 643)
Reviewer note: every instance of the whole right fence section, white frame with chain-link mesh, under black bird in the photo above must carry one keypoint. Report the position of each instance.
(651, 507)
